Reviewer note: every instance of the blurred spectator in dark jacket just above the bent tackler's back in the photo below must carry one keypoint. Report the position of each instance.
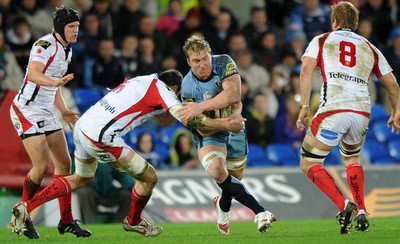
(107, 71)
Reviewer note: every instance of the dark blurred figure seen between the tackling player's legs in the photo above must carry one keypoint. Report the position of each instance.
(109, 189)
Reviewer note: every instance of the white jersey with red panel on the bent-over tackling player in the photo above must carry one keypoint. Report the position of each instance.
(130, 104)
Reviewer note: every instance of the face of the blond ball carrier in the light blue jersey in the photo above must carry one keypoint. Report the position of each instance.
(201, 64)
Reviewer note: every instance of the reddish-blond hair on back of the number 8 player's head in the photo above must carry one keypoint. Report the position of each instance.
(346, 14)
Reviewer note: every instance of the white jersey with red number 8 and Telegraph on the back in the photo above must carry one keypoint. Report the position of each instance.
(346, 61)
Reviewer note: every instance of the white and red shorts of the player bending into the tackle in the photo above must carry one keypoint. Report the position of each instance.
(86, 147)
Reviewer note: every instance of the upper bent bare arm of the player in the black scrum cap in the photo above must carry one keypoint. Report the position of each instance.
(36, 75)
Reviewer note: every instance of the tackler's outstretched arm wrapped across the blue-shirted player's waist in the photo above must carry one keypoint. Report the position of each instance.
(202, 122)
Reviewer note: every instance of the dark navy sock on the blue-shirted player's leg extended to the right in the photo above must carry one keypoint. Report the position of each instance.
(235, 189)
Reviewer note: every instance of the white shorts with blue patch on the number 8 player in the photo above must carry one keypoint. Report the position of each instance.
(334, 126)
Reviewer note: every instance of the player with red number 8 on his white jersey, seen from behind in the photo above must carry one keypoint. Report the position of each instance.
(346, 61)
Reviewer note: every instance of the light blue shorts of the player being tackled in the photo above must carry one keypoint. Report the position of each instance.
(236, 143)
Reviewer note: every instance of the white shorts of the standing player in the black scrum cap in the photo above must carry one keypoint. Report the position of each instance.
(32, 119)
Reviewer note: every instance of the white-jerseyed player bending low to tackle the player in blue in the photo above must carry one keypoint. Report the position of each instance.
(98, 137)
